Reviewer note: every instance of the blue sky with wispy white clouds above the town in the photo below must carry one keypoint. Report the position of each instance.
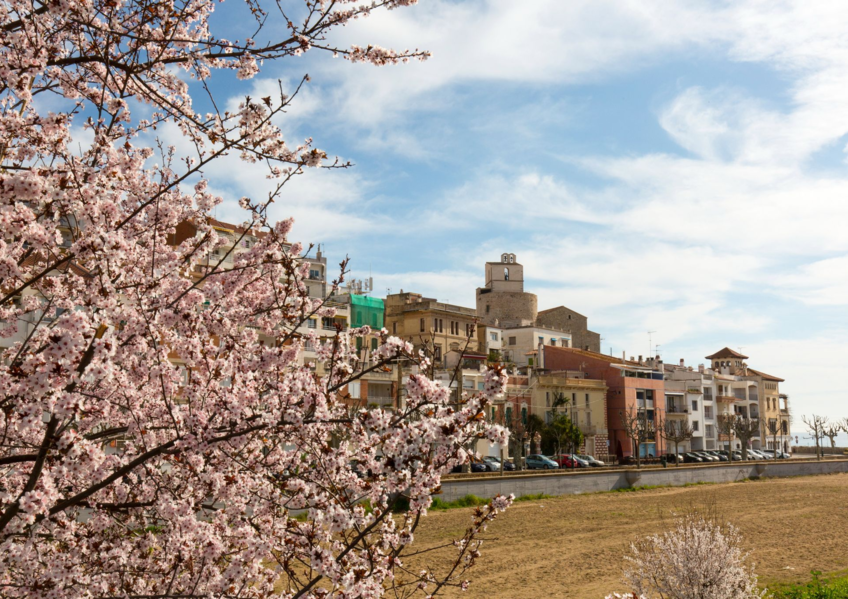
(676, 167)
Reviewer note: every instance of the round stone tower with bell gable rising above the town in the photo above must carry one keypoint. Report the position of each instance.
(502, 300)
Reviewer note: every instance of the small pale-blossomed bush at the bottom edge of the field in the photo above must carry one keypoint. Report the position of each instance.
(697, 559)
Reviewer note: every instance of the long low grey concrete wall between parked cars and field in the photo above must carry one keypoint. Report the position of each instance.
(566, 483)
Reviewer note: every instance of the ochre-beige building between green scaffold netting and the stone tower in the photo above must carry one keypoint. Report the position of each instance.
(426, 322)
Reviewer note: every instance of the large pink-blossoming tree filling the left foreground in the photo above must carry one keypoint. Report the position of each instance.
(122, 475)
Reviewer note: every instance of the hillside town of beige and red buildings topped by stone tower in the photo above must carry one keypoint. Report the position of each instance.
(549, 354)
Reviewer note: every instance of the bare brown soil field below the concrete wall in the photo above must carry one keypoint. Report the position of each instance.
(573, 546)
